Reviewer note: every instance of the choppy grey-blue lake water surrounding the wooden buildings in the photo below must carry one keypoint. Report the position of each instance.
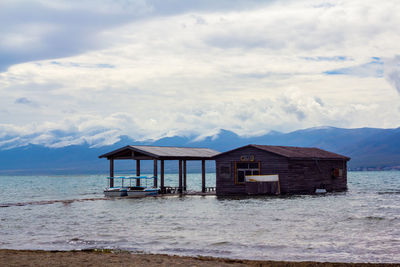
(361, 225)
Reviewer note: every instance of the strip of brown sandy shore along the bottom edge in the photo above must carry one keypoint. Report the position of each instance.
(105, 257)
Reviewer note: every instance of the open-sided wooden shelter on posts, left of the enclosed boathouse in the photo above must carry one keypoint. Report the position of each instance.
(161, 153)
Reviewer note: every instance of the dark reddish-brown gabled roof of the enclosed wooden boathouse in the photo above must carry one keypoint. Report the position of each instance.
(294, 152)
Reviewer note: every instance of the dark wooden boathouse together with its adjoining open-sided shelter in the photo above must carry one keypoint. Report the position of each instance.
(247, 170)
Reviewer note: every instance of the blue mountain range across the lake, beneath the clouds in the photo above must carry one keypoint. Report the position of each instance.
(369, 149)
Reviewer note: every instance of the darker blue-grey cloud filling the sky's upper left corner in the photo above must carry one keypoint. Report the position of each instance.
(45, 29)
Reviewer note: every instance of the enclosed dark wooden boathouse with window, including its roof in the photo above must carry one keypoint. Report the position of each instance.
(294, 170)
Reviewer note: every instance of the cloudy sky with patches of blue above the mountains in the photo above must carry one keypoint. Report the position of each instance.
(89, 71)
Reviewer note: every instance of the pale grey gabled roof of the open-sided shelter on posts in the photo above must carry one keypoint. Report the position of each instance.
(161, 152)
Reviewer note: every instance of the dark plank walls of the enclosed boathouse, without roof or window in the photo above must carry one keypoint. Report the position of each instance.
(296, 176)
